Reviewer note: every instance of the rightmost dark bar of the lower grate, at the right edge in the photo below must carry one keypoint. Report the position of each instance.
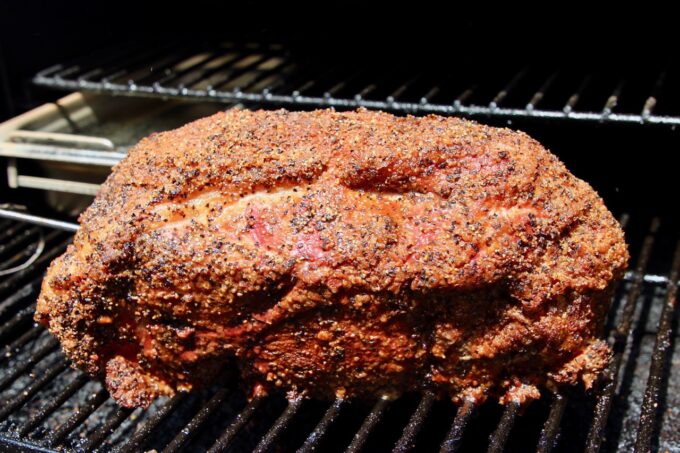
(649, 411)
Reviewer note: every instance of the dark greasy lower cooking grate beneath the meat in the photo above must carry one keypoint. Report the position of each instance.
(46, 406)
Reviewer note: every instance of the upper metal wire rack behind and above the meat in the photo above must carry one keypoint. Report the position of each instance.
(271, 76)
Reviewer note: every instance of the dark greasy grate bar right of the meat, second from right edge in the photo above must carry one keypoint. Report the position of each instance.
(621, 334)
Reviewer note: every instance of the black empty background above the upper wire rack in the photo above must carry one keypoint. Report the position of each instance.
(37, 34)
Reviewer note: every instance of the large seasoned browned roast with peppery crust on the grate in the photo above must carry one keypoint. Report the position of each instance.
(338, 253)
